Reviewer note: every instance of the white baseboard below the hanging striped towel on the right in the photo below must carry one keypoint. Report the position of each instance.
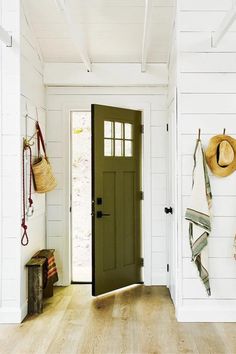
(185, 314)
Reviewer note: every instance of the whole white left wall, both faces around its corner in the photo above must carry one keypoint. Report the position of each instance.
(21, 83)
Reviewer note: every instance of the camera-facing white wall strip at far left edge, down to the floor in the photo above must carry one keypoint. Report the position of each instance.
(11, 308)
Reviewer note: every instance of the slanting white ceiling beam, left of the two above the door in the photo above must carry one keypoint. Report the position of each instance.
(77, 36)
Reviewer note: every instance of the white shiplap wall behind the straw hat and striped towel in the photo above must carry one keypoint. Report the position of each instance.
(207, 100)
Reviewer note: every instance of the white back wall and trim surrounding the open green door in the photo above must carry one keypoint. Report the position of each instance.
(82, 98)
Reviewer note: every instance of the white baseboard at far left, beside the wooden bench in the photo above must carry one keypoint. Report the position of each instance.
(13, 314)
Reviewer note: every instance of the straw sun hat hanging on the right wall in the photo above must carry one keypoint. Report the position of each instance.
(221, 155)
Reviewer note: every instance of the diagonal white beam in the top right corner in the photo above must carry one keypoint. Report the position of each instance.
(227, 22)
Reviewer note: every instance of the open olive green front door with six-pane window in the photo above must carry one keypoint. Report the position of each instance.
(116, 198)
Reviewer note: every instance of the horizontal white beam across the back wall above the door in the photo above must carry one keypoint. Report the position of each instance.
(105, 75)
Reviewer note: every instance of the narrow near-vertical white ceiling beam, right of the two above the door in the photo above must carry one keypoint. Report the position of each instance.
(146, 34)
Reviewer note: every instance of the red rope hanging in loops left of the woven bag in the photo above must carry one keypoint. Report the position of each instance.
(25, 238)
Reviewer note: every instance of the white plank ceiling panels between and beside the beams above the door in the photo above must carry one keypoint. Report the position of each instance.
(113, 30)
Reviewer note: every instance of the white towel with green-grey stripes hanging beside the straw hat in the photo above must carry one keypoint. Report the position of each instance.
(198, 215)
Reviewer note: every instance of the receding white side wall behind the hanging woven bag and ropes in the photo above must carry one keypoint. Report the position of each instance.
(33, 104)
